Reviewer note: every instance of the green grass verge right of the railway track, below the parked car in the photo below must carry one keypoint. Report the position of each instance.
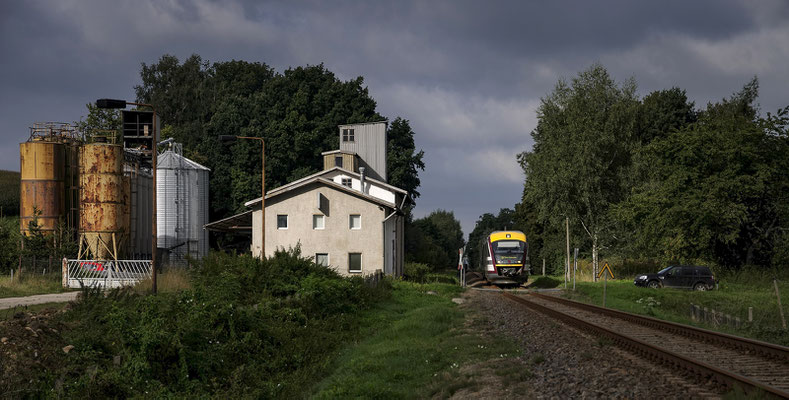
(736, 293)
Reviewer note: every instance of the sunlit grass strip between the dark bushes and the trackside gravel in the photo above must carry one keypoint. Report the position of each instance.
(414, 345)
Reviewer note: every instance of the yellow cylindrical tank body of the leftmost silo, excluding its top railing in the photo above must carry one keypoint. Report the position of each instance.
(42, 184)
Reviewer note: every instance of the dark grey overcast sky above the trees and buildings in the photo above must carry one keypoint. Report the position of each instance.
(469, 75)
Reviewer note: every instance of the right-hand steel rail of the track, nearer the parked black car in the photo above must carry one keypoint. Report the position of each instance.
(767, 349)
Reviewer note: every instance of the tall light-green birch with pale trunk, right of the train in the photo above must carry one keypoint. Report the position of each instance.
(582, 148)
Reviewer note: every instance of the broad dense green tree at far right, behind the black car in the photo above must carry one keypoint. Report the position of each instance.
(715, 190)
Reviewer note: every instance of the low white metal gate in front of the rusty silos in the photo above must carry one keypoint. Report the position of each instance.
(104, 273)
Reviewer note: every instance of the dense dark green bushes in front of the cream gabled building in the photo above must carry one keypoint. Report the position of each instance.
(248, 328)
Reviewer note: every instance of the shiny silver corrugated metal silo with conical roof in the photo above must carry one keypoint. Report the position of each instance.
(182, 203)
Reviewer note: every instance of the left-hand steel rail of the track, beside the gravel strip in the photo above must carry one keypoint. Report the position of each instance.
(702, 369)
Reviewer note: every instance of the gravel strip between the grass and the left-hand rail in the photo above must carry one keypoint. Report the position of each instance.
(569, 363)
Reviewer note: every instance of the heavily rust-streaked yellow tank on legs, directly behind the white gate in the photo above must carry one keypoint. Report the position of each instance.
(103, 219)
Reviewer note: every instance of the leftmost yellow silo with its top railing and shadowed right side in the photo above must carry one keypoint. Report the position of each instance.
(48, 176)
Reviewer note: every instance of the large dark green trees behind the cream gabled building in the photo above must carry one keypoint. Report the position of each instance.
(297, 112)
